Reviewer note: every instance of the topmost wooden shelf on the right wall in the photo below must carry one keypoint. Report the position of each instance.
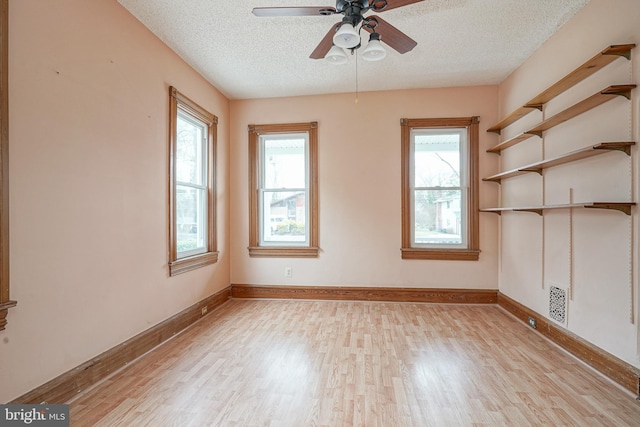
(596, 63)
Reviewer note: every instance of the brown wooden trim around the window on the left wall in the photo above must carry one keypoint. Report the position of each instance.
(182, 265)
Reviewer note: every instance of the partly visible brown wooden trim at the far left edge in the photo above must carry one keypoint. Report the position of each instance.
(5, 301)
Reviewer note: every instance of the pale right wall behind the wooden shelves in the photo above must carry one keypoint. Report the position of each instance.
(592, 254)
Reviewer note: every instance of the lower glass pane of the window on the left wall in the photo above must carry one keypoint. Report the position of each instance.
(190, 220)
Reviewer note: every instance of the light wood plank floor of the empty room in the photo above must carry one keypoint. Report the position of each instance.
(308, 363)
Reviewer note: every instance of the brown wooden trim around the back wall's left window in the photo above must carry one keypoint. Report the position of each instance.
(255, 250)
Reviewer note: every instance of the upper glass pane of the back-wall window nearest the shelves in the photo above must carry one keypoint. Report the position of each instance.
(437, 159)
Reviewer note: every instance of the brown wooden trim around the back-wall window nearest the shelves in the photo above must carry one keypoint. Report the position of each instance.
(472, 253)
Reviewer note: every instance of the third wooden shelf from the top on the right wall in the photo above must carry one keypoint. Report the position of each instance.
(573, 156)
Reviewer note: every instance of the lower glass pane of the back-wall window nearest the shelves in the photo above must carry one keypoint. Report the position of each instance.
(438, 217)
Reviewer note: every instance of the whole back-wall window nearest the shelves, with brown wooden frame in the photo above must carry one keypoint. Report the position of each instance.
(440, 189)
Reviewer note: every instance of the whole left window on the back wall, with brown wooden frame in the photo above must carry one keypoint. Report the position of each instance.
(283, 201)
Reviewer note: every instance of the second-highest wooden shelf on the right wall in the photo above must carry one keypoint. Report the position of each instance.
(583, 106)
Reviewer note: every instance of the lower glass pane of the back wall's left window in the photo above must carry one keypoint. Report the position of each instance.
(284, 217)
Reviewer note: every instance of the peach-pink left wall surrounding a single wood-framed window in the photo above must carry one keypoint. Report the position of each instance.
(88, 186)
